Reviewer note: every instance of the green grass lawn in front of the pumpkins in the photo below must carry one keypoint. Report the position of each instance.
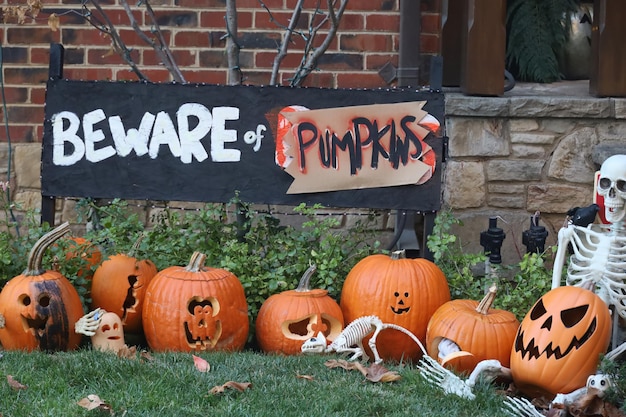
(168, 384)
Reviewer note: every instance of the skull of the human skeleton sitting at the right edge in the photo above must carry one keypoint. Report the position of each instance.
(612, 186)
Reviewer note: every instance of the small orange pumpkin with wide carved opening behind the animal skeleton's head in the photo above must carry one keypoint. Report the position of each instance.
(287, 319)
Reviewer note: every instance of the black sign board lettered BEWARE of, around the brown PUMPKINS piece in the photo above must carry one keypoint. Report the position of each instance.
(195, 142)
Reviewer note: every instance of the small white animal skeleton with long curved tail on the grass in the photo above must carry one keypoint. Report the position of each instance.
(350, 340)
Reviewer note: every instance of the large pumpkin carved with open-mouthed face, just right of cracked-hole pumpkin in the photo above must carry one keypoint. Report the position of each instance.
(195, 308)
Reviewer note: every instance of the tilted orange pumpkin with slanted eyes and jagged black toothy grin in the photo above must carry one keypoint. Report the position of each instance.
(559, 342)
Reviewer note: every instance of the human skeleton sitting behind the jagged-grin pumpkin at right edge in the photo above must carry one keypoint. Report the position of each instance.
(599, 251)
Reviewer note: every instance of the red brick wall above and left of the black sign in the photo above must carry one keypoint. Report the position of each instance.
(368, 38)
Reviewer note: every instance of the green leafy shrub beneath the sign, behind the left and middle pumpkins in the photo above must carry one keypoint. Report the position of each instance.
(266, 256)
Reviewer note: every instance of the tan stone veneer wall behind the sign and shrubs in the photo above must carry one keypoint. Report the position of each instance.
(508, 157)
